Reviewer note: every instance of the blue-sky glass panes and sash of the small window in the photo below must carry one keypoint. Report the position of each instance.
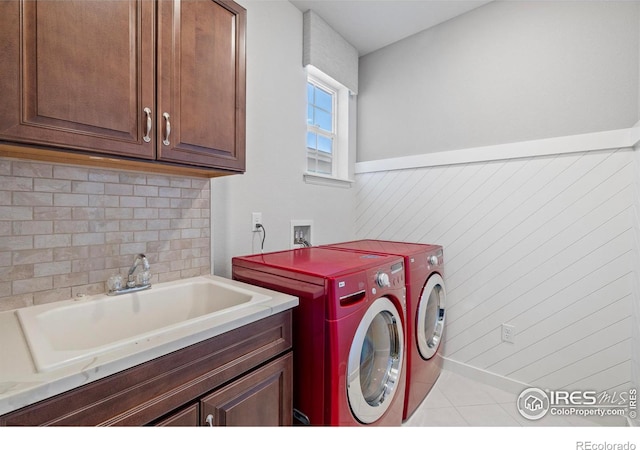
(321, 128)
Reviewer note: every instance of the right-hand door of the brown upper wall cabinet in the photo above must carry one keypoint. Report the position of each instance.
(201, 83)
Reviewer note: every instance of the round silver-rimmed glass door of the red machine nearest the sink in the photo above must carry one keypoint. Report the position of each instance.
(375, 361)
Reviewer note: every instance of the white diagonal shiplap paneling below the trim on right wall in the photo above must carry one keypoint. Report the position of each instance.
(544, 243)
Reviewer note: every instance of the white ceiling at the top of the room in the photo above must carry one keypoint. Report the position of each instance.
(369, 25)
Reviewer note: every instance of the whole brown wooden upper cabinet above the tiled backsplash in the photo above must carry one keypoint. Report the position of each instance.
(158, 81)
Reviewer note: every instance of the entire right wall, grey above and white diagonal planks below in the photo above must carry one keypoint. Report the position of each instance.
(546, 243)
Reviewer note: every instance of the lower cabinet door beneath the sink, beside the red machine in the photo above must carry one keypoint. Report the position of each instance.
(260, 398)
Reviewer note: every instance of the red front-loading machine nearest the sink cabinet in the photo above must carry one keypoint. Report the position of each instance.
(348, 331)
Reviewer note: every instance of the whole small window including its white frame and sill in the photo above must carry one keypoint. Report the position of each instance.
(327, 149)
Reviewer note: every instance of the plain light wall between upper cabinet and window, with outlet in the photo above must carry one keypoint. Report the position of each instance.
(276, 127)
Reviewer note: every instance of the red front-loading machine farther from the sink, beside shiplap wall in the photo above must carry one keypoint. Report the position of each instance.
(426, 301)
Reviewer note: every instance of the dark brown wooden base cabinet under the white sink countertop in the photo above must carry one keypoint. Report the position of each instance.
(242, 377)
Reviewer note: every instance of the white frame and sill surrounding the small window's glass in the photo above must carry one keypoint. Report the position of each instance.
(341, 126)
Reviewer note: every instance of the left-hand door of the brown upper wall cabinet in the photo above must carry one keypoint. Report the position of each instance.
(78, 74)
